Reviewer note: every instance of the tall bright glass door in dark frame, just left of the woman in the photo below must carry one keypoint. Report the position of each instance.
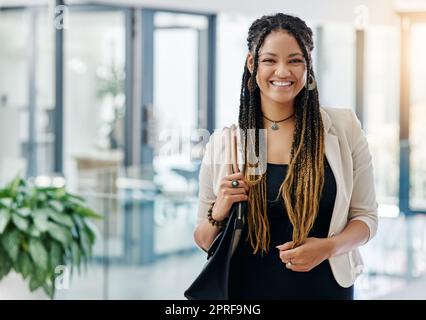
(179, 96)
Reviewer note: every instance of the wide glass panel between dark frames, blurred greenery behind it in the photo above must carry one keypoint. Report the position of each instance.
(94, 97)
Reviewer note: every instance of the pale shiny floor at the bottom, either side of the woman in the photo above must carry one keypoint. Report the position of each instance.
(170, 277)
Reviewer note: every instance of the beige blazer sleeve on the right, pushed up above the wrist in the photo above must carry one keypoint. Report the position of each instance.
(363, 204)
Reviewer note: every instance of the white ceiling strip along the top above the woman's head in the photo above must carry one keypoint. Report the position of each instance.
(380, 11)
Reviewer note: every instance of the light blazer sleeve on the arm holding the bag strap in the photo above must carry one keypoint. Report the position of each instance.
(206, 194)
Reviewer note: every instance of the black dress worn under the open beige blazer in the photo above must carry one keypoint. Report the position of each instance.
(266, 277)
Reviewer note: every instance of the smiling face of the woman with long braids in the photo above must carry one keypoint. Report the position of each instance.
(281, 72)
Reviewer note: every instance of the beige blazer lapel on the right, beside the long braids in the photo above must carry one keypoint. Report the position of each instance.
(332, 152)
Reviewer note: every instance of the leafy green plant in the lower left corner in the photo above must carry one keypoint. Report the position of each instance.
(41, 229)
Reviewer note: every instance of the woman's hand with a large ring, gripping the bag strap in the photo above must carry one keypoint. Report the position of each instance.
(228, 195)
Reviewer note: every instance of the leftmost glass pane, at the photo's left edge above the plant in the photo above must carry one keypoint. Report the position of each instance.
(14, 94)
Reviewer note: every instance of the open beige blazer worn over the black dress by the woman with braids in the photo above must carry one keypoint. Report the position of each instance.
(348, 154)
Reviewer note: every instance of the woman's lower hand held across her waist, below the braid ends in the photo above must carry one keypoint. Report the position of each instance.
(307, 256)
